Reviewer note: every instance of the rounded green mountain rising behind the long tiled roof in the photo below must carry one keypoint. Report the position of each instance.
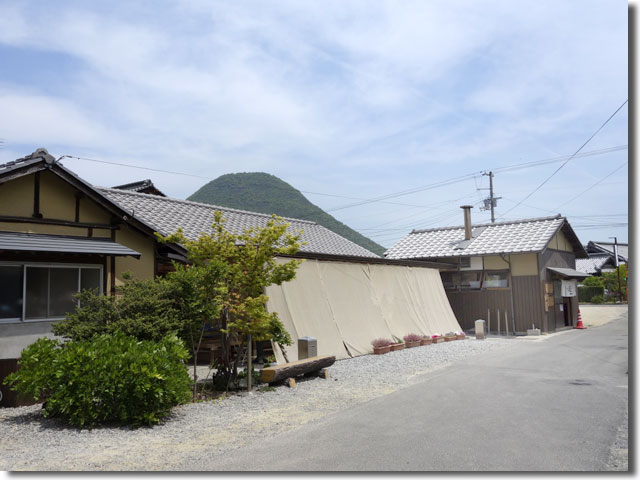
(265, 193)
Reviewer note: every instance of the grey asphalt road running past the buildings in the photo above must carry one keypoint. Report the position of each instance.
(553, 404)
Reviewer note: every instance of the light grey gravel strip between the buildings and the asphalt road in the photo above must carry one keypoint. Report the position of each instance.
(32, 443)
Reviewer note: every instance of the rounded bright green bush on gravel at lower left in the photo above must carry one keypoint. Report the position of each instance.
(106, 378)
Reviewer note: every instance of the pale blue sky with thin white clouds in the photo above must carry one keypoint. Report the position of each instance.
(340, 99)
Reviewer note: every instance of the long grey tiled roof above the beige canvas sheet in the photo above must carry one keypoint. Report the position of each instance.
(166, 215)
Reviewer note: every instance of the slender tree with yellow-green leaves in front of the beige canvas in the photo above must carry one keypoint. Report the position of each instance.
(250, 266)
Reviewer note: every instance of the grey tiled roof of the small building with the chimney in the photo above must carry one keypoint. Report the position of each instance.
(519, 236)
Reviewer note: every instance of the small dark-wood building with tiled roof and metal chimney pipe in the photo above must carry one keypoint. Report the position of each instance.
(522, 270)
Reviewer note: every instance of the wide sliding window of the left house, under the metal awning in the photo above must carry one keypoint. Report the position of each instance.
(41, 292)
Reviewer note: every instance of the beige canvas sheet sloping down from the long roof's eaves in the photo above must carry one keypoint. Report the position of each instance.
(346, 305)
